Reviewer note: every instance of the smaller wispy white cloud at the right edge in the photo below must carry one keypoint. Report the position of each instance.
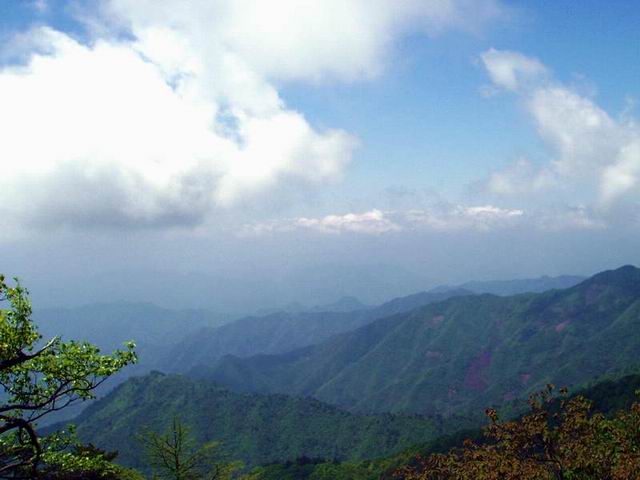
(593, 154)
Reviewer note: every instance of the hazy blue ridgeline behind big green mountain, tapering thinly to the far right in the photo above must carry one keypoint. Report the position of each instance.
(296, 326)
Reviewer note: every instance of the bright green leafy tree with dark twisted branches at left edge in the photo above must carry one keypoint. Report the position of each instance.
(38, 378)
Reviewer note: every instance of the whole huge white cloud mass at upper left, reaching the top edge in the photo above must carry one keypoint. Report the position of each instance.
(172, 110)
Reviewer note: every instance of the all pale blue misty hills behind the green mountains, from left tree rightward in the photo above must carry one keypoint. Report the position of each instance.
(178, 340)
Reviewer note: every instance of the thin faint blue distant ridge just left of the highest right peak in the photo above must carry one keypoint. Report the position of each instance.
(514, 287)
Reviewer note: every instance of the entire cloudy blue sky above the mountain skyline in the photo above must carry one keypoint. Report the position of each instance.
(243, 154)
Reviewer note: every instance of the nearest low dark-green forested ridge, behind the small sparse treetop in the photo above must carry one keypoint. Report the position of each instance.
(254, 428)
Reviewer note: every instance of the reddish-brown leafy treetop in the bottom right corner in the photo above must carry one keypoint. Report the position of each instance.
(559, 439)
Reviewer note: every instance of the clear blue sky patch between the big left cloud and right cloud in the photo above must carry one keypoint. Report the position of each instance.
(437, 130)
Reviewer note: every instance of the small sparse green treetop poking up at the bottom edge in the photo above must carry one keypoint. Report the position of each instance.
(176, 456)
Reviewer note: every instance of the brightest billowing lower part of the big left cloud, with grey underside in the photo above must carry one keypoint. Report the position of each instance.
(98, 135)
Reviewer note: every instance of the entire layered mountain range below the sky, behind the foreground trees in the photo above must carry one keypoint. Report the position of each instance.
(373, 381)
